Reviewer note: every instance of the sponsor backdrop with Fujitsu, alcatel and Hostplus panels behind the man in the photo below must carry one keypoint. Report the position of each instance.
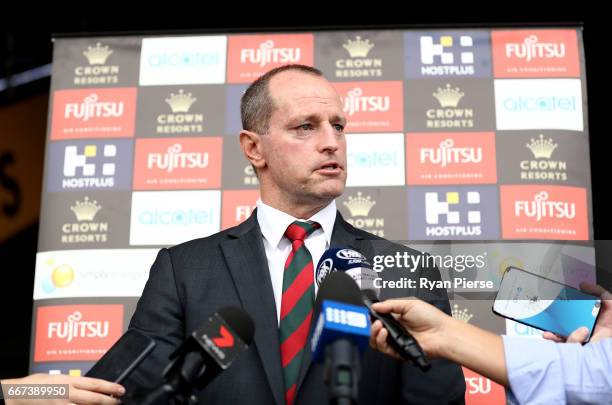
(475, 136)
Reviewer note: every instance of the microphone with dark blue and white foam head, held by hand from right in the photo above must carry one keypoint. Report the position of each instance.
(359, 269)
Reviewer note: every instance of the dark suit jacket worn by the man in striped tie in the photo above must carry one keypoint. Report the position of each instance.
(189, 282)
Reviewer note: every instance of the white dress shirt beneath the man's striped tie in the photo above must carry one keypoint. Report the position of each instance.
(273, 224)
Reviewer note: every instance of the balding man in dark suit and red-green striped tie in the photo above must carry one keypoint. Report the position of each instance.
(294, 137)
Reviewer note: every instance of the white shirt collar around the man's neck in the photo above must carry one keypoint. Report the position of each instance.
(273, 223)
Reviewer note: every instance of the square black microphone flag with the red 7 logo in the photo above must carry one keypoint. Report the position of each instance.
(220, 341)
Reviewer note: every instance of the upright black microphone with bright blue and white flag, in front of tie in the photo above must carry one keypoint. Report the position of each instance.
(341, 334)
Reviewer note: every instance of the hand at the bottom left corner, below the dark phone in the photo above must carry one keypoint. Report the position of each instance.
(81, 390)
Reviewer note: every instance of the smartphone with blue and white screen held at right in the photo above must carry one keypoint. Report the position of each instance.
(545, 304)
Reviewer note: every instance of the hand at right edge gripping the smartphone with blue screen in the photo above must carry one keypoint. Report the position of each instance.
(603, 327)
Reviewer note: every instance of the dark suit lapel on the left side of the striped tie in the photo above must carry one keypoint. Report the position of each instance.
(246, 260)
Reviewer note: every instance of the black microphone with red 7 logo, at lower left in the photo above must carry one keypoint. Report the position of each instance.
(208, 351)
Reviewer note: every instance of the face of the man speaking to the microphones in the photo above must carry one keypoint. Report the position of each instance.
(305, 147)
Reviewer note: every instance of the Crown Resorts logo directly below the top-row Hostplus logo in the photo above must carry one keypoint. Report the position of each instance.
(449, 116)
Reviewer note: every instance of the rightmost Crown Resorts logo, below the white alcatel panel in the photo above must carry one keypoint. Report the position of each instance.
(542, 167)
